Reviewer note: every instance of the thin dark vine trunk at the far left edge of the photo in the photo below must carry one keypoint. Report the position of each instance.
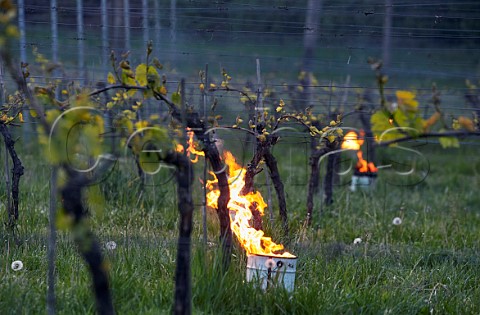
(17, 172)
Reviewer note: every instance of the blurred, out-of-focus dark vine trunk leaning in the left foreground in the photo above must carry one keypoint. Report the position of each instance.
(88, 246)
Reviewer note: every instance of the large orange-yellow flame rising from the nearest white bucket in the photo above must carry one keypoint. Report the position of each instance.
(252, 240)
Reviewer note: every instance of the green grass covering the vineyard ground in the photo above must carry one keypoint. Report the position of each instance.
(428, 264)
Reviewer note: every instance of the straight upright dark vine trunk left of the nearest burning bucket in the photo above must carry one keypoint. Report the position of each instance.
(184, 175)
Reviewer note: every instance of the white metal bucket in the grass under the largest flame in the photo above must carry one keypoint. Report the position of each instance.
(272, 271)
